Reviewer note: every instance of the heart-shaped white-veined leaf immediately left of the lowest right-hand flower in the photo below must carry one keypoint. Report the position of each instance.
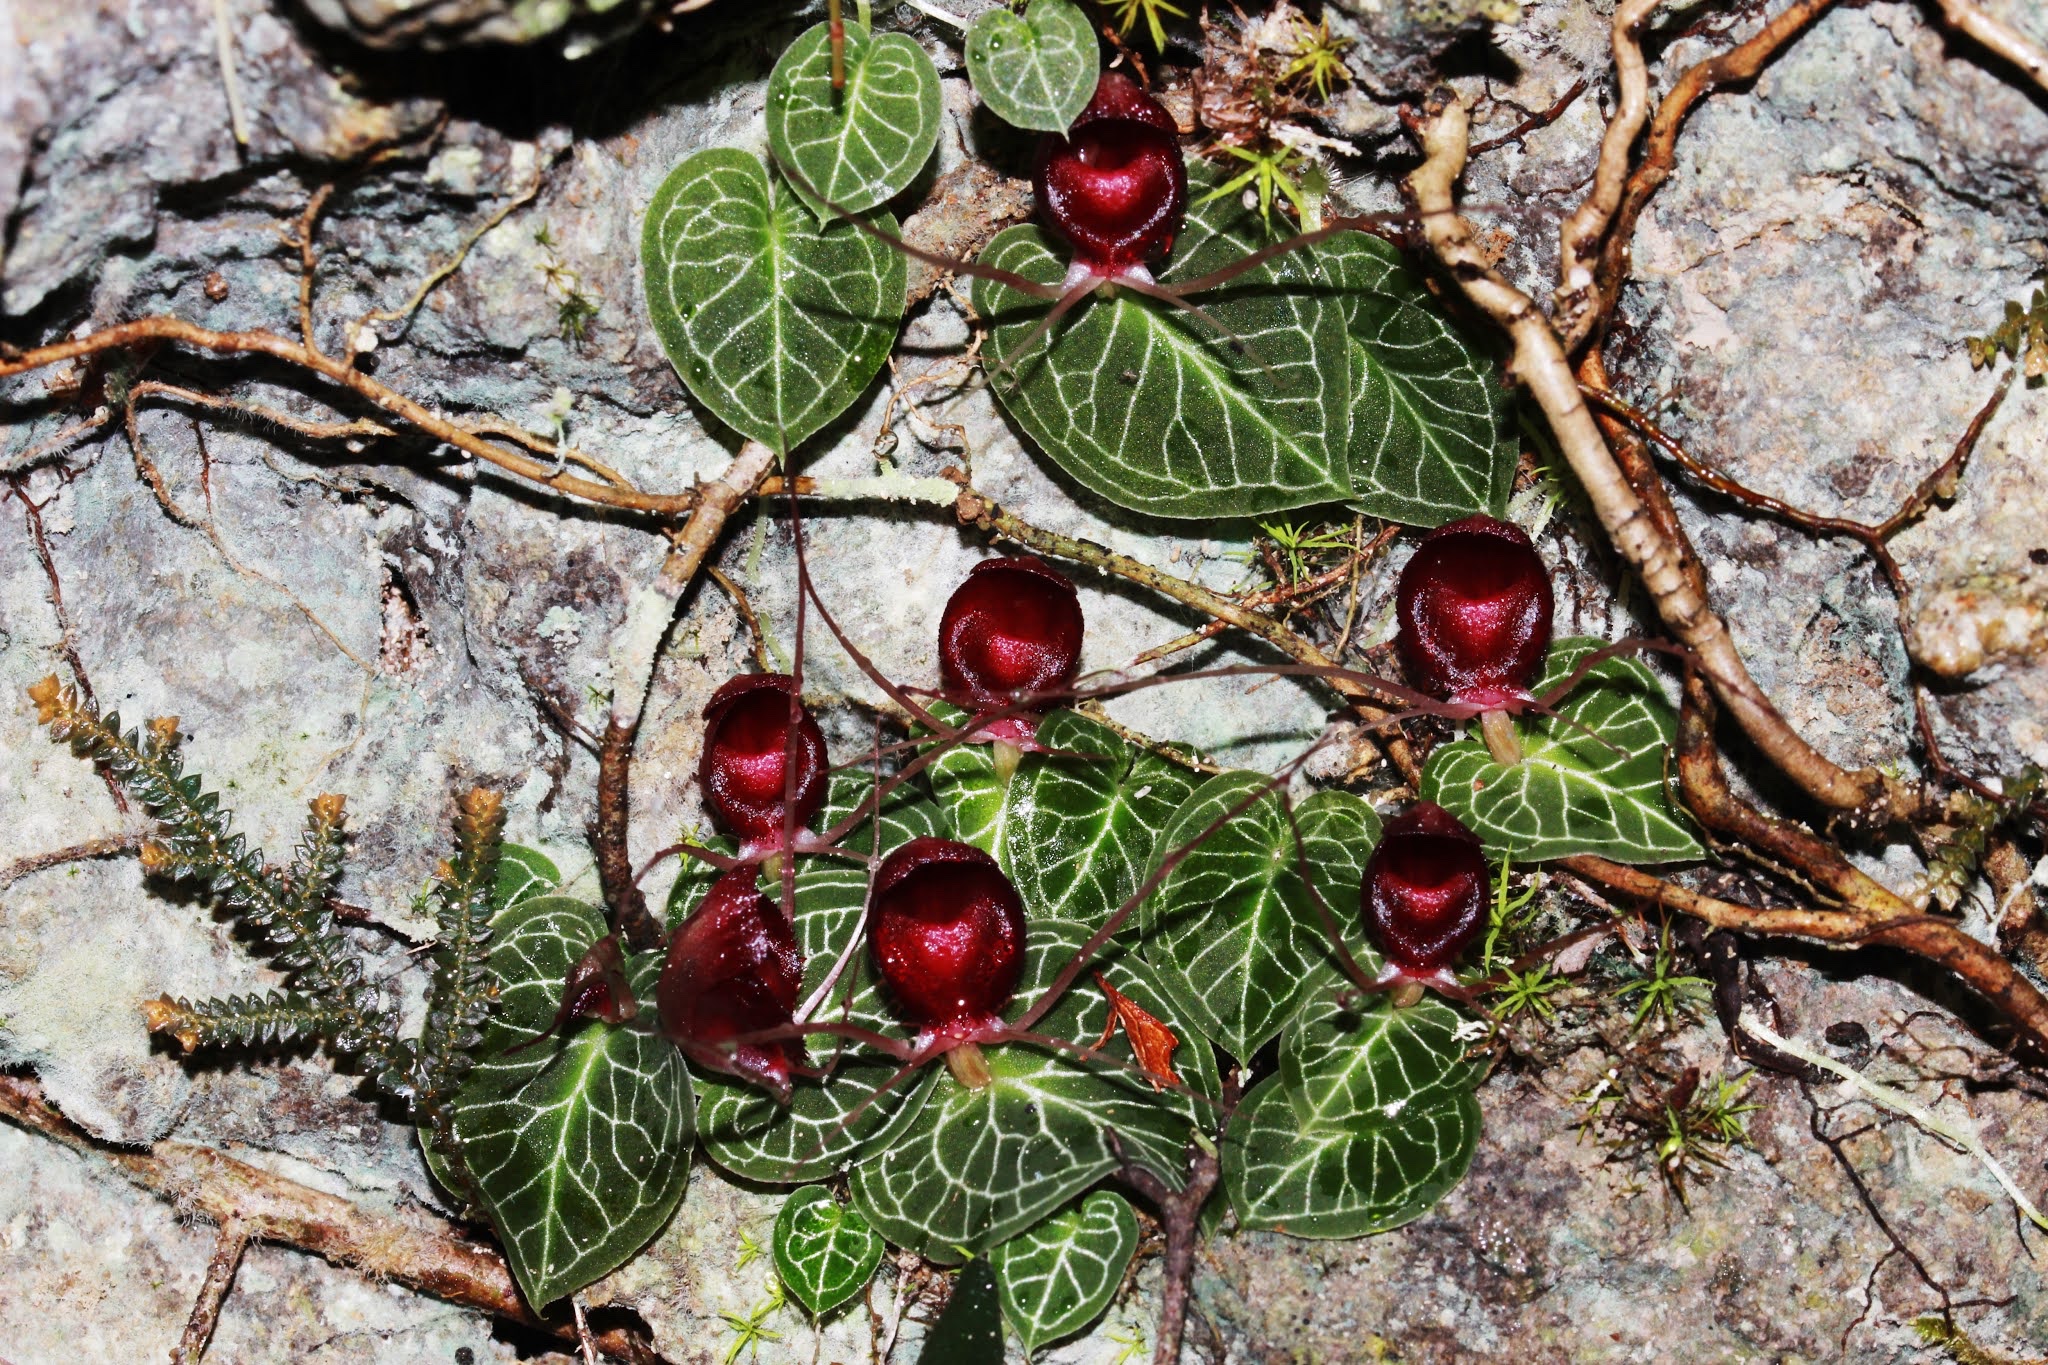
(1234, 932)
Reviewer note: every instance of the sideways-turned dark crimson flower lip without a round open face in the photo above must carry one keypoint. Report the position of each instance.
(734, 969)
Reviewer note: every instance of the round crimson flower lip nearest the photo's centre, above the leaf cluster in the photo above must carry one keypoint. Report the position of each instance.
(1011, 629)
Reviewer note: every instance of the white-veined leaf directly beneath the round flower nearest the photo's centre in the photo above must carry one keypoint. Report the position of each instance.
(1074, 828)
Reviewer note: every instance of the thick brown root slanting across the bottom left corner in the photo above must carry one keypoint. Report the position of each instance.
(421, 1253)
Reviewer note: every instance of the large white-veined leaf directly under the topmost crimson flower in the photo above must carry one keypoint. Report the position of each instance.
(1150, 406)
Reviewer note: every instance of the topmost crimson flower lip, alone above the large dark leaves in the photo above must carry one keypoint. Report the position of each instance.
(1115, 187)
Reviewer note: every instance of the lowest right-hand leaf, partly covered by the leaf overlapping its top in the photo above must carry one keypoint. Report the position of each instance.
(1345, 1180)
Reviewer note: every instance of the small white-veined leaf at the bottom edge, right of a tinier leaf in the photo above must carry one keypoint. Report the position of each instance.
(1060, 1276)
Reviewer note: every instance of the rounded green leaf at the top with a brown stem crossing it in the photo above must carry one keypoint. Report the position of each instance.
(857, 146)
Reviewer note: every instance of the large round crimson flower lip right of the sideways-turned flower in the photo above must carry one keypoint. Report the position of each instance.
(947, 936)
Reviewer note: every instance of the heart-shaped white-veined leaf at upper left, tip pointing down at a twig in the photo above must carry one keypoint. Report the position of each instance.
(773, 322)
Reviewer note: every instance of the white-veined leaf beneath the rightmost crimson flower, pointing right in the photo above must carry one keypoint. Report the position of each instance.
(1574, 793)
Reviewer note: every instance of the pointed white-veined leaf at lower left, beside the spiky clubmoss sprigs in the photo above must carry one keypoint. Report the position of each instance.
(581, 1147)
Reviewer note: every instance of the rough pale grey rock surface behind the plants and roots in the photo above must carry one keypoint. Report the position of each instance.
(374, 617)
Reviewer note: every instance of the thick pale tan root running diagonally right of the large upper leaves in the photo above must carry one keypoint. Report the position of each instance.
(1539, 361)
